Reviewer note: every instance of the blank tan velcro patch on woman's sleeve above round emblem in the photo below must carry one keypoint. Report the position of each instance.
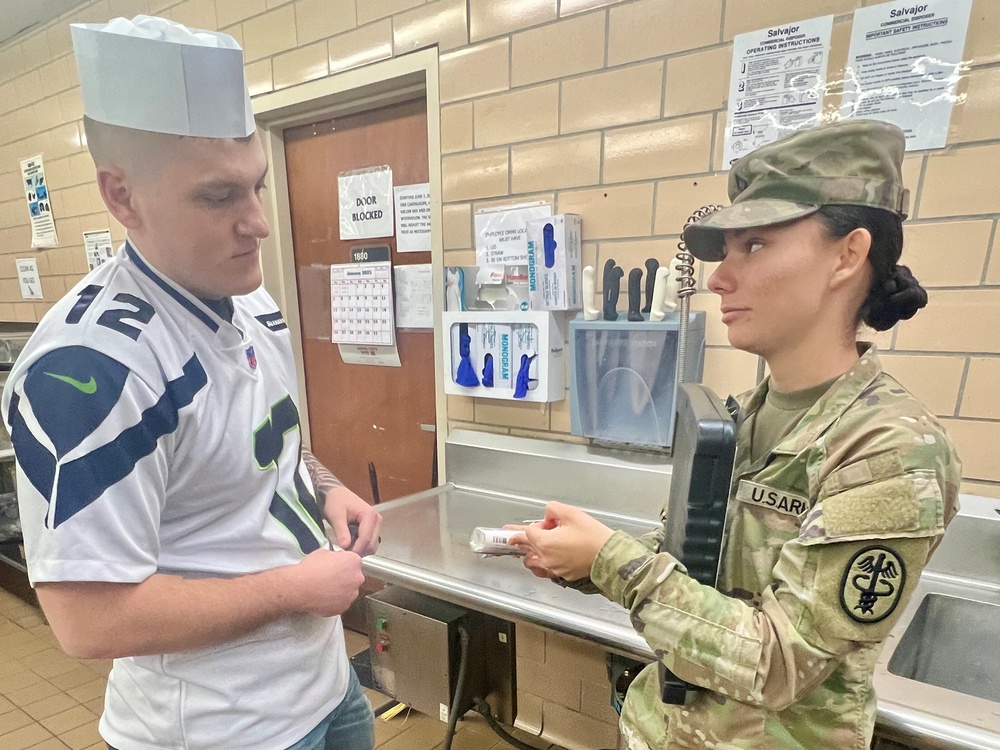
(886, 507)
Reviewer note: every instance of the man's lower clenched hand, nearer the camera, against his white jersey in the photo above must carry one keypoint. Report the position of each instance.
(327, 582)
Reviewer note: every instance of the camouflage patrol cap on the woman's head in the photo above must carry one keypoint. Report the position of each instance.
(849, 162)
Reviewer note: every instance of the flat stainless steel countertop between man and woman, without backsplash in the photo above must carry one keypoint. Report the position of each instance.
(425, 547)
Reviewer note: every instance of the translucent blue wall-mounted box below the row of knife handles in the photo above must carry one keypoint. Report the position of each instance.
(623, 377)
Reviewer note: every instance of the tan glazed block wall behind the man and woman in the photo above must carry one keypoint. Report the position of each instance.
(614, 110)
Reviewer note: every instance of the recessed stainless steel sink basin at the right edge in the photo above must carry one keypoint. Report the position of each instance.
(951, 643)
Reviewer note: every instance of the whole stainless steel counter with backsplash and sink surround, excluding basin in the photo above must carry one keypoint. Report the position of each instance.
(425, 547)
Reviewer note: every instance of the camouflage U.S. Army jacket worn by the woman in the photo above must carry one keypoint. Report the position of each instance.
(826, 538)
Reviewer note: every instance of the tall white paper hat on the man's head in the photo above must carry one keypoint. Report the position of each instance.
(153, 74)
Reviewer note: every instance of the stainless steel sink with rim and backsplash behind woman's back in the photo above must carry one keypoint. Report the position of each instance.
(938, 678)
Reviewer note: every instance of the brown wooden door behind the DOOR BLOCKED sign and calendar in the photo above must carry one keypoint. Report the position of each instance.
(363, 414)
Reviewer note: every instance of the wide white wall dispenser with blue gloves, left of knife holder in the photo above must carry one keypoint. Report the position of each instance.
(512, 329)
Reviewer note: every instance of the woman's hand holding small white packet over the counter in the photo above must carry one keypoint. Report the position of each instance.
(564, 544)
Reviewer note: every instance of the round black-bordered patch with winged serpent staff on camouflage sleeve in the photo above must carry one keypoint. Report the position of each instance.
(873, 584)
